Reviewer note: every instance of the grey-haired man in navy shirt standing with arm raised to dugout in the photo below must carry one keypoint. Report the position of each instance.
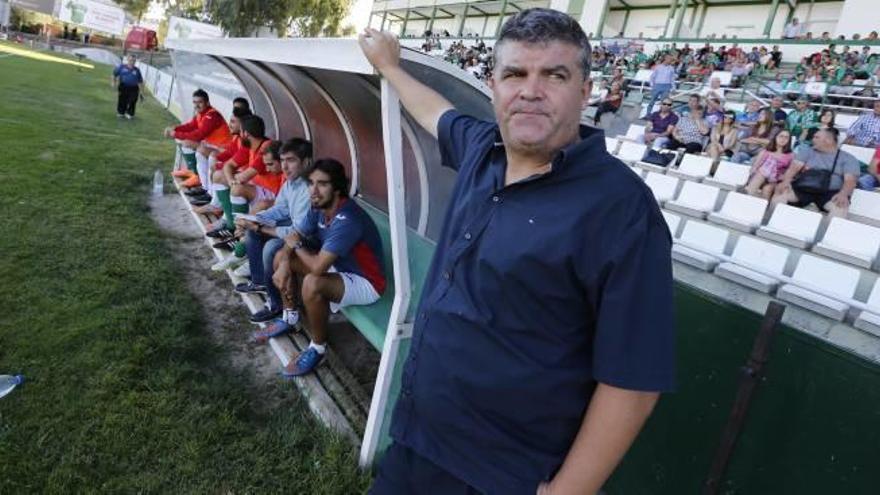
(545, 329)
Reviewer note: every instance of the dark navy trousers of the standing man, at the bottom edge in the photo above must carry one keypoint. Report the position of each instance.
(403, 472)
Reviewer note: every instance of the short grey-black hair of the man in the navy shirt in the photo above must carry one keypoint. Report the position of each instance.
(540, 25)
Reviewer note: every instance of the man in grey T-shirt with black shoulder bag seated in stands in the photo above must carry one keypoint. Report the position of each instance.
(824, 155)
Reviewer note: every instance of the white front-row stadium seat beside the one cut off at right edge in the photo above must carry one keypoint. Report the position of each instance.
(815, 273)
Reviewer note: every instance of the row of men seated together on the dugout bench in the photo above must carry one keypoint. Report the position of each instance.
(286, 219)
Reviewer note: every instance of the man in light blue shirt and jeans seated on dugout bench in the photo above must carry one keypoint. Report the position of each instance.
(263, 242)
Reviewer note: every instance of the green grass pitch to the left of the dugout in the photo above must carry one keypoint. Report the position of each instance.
(124, 392)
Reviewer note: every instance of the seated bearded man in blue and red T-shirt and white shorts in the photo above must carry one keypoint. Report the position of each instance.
(336, 252)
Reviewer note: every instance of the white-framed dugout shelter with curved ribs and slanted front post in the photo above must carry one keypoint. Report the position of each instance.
(327, 91)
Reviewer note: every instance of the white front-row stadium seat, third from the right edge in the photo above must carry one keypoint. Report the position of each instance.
(755, 263)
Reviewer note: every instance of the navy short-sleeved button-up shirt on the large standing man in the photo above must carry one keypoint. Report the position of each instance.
(537, 291)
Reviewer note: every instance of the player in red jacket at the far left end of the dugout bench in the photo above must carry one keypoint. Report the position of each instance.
(207, 131)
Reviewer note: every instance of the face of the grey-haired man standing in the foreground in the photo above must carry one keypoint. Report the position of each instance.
(539, 92)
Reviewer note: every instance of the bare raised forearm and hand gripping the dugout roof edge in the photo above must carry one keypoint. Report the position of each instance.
(422, 102)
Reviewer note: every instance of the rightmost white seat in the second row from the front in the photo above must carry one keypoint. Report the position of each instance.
(850, 242)
